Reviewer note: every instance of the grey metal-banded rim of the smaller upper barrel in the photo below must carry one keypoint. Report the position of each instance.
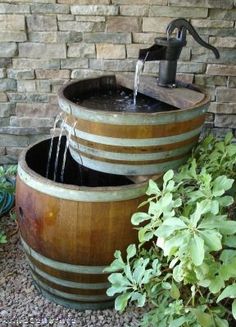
(61, 96)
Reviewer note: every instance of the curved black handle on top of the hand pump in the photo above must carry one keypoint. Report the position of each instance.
(183, 25)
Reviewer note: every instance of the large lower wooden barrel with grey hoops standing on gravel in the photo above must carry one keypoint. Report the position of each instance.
(69, 232)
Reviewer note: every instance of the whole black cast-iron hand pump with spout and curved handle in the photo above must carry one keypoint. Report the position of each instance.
(168, 50)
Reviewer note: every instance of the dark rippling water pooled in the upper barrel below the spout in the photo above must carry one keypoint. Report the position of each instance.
(122, 100)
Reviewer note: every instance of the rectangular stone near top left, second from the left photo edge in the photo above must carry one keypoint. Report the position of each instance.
(41, 23)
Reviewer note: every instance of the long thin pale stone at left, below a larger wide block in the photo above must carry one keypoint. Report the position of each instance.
(36, 63)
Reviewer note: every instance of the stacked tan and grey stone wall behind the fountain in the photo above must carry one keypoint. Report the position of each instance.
(44, 43)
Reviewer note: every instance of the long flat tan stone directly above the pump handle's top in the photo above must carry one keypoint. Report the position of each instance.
(165, 11)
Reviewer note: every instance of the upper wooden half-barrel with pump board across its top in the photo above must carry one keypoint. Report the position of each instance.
(131, 142)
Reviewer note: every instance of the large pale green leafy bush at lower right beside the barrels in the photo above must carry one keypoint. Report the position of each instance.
(184, 266)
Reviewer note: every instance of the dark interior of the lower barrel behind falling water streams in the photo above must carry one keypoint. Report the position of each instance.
(74, 174)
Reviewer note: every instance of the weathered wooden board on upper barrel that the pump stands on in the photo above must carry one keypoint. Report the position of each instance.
(180, 97)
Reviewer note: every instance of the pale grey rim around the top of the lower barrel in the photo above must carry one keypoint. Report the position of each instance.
(22, 164)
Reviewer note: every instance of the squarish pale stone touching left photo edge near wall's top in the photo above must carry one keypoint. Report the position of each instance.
(12, 22)
